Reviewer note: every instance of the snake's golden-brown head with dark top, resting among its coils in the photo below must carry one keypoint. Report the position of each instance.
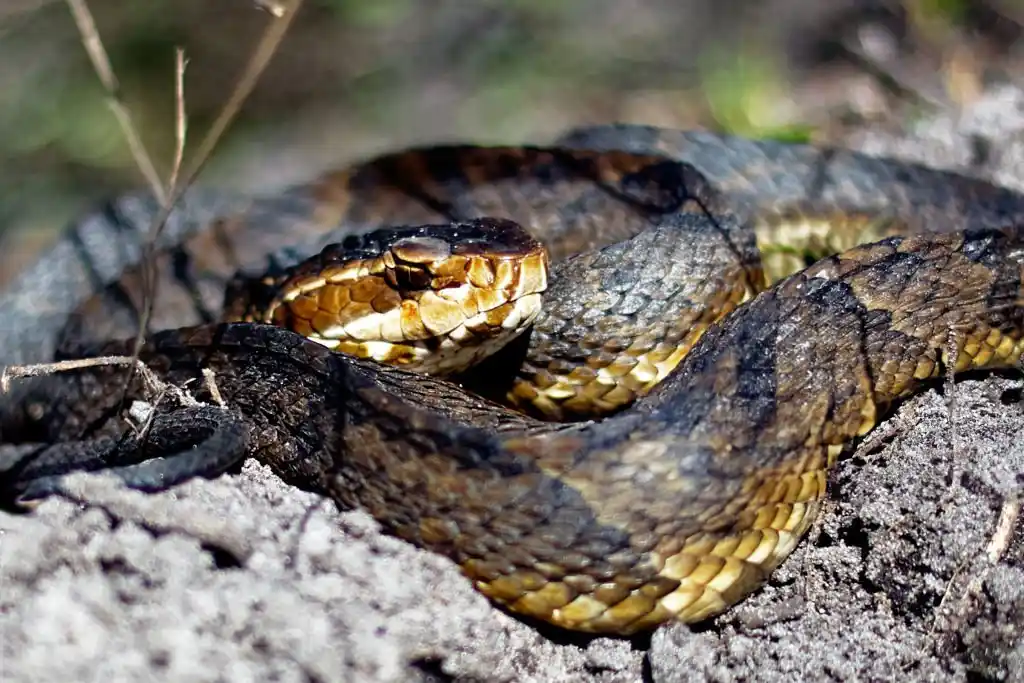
(435, 300)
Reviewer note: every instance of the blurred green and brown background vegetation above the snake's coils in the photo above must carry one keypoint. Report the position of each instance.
(357, 77)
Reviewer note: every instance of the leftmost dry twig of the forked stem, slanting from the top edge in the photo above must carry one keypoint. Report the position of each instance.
(102, 64)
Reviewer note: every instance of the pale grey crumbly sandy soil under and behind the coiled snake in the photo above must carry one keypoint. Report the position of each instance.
(916, 572)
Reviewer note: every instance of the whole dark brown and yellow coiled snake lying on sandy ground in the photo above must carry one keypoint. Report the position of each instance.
(721, 320)
